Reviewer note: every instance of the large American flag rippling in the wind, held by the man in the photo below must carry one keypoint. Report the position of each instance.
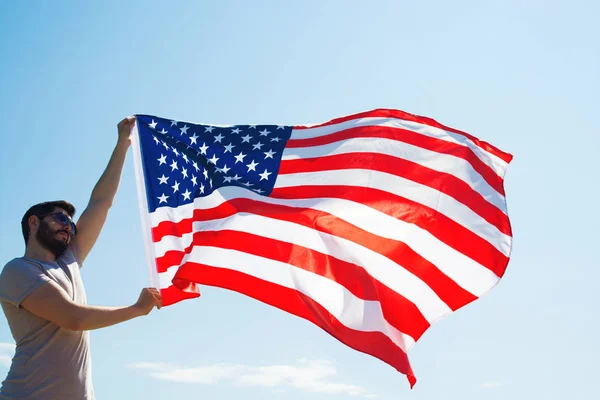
(371, 226)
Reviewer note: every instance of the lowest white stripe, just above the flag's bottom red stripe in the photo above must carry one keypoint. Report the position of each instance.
(351, 311)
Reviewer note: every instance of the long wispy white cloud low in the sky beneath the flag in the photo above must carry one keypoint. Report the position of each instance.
(308, 375)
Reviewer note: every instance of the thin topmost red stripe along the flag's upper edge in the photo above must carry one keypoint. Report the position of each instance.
(387, 113)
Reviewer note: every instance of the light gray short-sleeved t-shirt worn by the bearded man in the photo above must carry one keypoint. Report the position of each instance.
(50, 362)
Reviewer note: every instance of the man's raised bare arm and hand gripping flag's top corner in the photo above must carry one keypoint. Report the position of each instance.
(93, 217)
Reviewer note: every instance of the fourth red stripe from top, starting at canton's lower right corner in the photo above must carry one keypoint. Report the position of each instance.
(440, 226)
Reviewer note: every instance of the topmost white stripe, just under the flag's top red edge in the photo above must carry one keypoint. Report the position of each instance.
(495, 162)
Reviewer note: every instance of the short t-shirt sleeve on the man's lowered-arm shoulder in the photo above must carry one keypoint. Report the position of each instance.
(19, 279)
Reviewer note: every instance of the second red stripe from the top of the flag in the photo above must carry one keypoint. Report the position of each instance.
(413, 138)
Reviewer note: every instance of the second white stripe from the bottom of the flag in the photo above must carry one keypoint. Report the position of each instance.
(377, 265)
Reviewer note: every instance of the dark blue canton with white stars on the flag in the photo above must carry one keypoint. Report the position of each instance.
(183, 161)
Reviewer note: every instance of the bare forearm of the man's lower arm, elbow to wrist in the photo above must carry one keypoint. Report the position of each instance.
(87, 318)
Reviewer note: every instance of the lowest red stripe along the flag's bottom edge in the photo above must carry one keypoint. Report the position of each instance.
(375, 344)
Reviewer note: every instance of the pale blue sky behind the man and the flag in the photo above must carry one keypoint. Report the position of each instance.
(523, 75)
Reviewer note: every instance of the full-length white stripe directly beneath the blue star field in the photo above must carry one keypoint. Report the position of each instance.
(466, 272)
